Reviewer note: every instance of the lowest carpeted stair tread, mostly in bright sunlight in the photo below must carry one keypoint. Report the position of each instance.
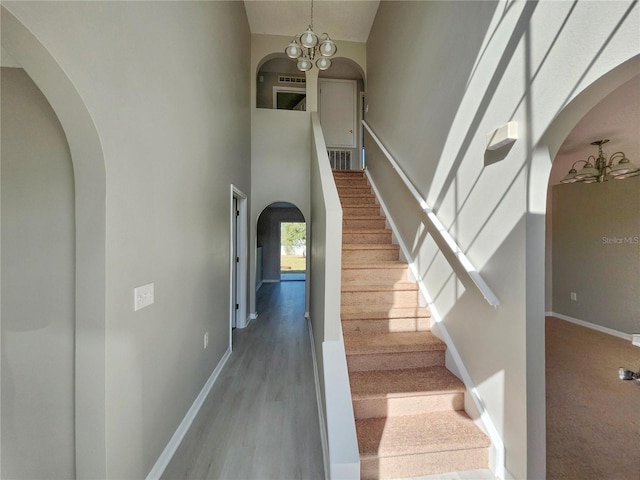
(416, 434)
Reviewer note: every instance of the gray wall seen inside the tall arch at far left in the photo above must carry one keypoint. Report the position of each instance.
(38, 283)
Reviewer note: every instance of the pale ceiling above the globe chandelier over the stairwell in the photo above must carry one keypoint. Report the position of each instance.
(341, 19)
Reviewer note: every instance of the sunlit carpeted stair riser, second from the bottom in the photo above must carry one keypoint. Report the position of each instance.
(412, 405)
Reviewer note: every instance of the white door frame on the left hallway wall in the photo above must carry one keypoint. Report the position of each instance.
(237, 269)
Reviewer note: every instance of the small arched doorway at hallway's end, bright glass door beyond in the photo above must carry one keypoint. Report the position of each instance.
(276, 252)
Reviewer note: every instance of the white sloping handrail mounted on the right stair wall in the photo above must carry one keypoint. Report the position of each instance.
(435, 222)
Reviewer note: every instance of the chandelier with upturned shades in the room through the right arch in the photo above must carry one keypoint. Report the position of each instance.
(600, 169)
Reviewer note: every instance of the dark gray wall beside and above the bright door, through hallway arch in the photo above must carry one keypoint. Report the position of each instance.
(268, 237)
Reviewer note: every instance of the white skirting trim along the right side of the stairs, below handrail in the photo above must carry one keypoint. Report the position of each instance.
(497, 454)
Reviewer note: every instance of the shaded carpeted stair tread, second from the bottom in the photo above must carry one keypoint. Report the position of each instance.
(402, 383)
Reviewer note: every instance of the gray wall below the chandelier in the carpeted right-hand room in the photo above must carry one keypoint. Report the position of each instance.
(596, 253)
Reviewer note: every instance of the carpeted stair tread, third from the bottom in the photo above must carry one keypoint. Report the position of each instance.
(392, 342)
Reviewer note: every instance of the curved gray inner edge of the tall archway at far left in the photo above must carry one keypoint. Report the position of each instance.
(90, 217)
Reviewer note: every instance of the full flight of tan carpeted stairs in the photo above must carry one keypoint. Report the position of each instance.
(409, 408)
